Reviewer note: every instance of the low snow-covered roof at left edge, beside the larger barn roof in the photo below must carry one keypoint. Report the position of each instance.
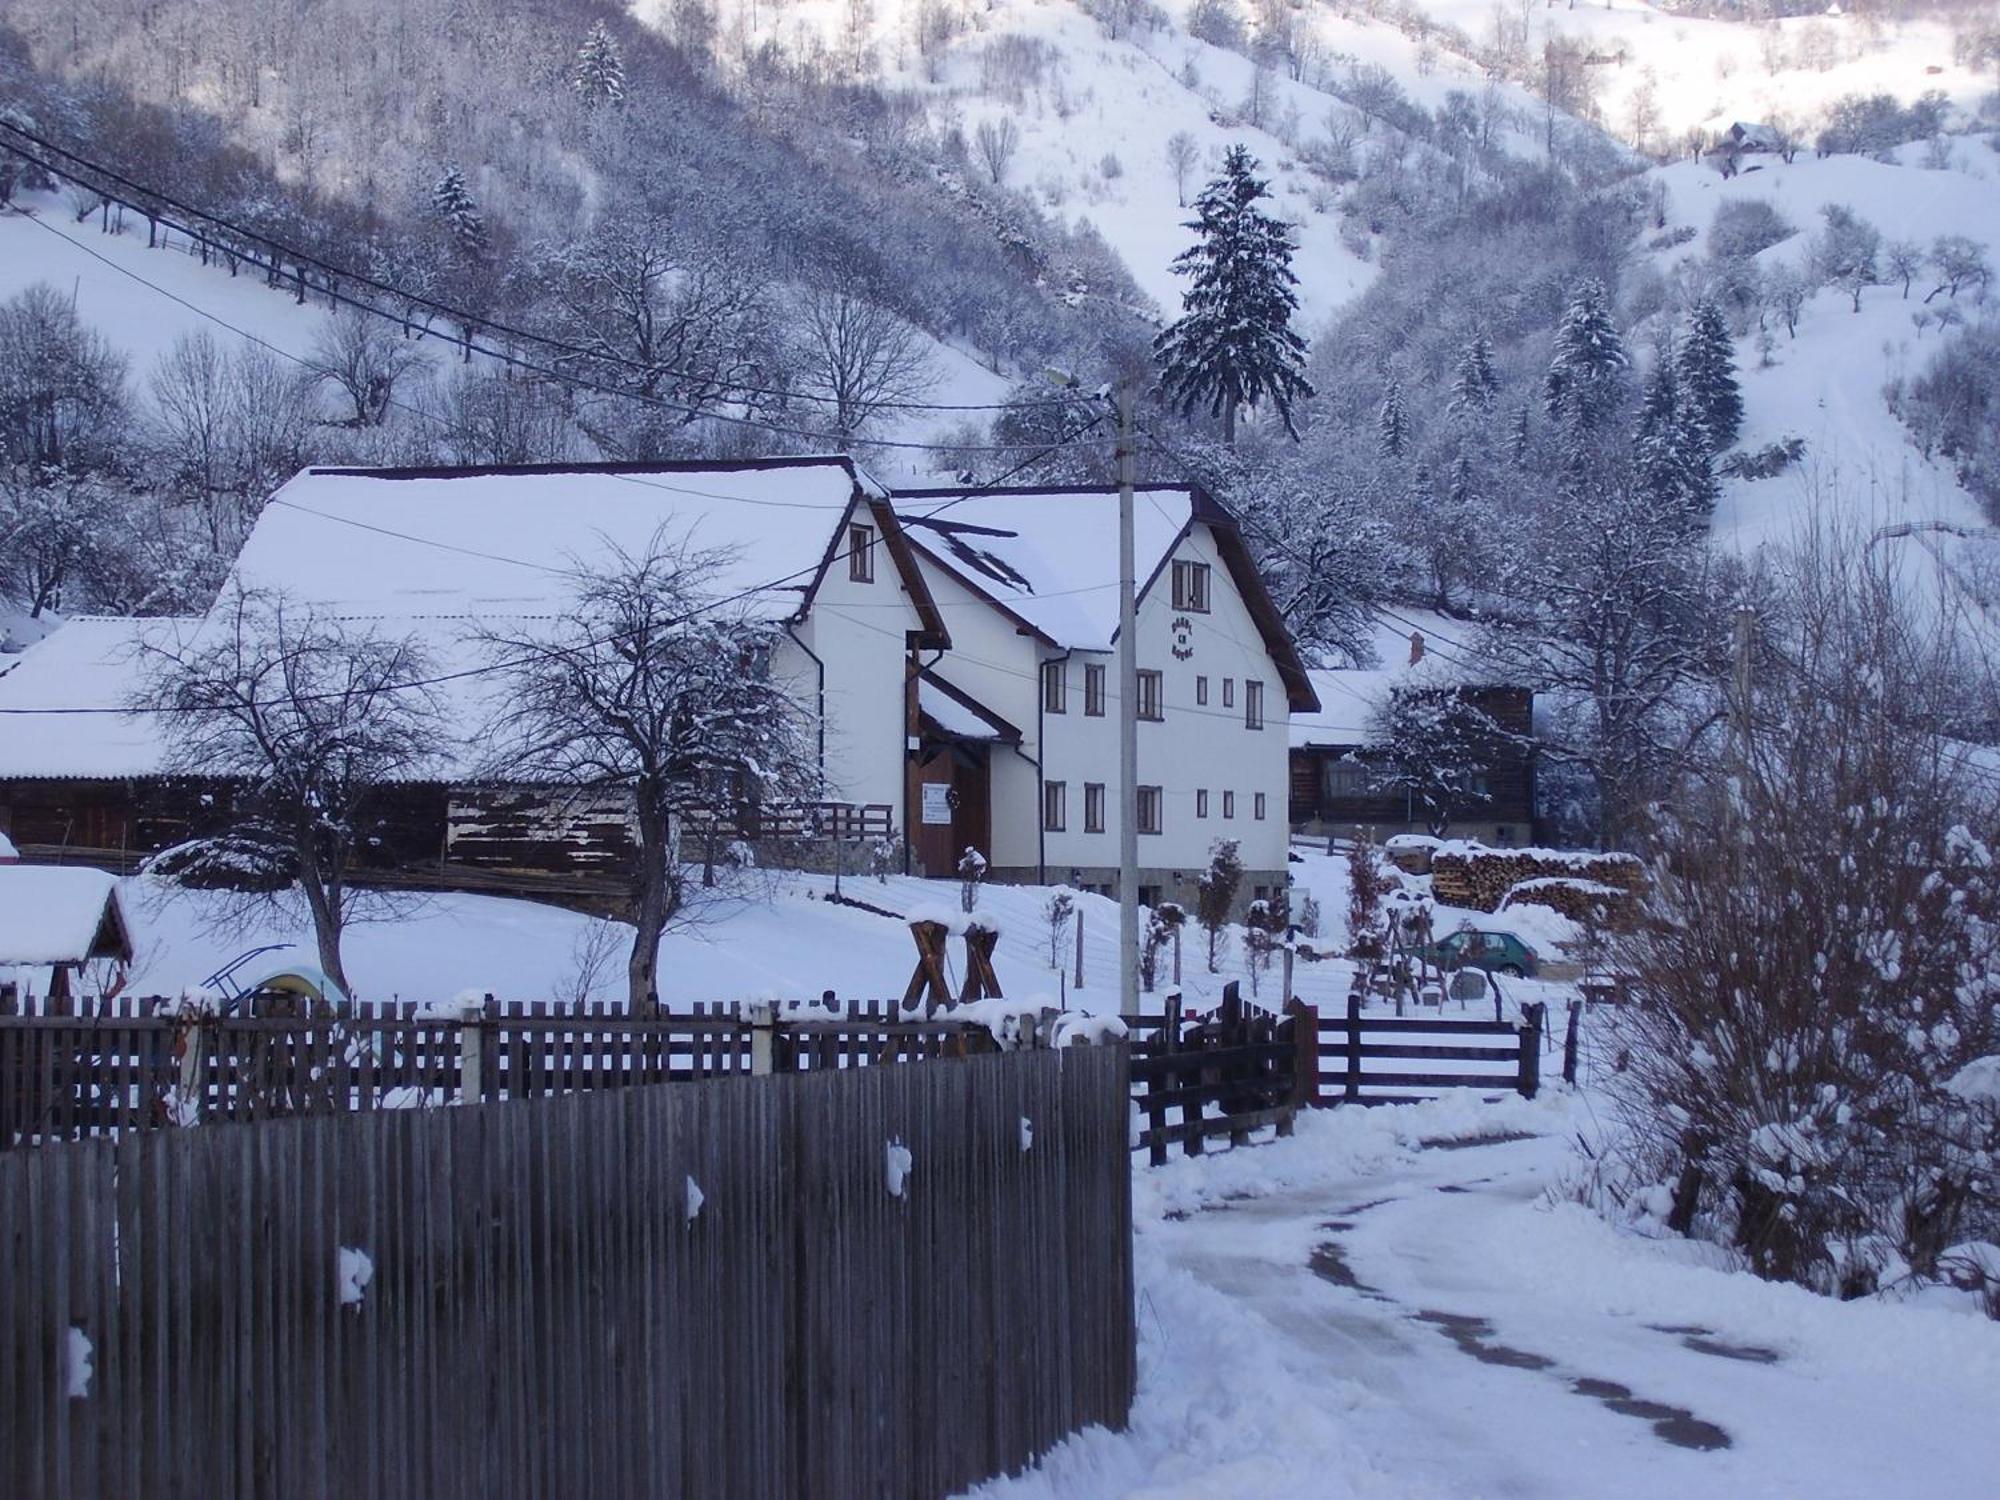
(85, 665)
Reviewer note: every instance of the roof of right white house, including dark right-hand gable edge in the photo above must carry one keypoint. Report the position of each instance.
(1049, 559)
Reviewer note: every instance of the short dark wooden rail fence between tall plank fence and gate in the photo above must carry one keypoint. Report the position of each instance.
(1241, 1071)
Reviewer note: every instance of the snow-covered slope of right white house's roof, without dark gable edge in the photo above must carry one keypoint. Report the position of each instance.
(1049, 557)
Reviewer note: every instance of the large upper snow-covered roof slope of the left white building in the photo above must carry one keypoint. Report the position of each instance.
(503, 543)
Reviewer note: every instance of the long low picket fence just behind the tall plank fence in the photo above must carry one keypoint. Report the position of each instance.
(135, 1065)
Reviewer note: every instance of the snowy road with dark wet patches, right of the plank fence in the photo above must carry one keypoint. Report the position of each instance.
(1363, 1313)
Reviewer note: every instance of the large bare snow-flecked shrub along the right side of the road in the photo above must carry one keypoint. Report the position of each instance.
(1819, 983)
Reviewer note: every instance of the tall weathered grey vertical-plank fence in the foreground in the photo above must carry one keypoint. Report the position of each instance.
(727, 1289)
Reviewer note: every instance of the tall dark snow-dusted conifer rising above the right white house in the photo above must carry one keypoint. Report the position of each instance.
(1235, 341)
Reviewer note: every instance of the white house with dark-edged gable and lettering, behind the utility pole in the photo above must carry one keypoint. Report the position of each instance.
(1017, 729)
